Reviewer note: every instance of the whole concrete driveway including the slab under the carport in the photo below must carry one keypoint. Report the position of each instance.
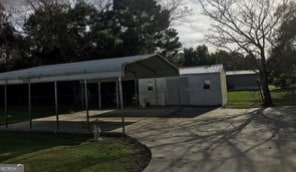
(199, 139)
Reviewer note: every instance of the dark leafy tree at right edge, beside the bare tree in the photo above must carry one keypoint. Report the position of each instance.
(282, 62)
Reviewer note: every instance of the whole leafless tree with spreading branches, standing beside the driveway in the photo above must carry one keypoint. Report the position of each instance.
(247, 25)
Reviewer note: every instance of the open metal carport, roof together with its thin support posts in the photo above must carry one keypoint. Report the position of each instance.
(117, 69)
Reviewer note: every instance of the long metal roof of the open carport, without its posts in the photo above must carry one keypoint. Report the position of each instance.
(95, 69)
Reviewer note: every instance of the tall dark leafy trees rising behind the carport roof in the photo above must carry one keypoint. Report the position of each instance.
(67, 31)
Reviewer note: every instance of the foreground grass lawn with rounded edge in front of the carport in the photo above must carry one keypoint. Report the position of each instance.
(61, 152)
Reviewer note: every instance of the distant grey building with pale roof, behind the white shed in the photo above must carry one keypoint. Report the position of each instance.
(242, 80)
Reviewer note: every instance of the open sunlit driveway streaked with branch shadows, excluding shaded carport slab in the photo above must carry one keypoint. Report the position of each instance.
(223, 140)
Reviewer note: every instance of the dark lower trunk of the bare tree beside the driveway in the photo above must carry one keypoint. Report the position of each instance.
(264, 81)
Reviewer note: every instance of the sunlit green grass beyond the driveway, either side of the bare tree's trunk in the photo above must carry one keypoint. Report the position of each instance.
(250, 99)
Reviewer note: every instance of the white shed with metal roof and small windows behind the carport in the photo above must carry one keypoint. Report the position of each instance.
(196, 86)
